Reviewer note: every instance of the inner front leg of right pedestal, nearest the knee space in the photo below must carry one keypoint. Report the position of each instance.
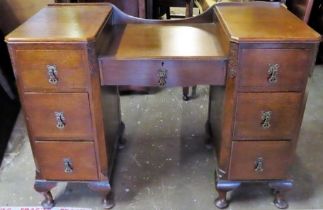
(223, 187)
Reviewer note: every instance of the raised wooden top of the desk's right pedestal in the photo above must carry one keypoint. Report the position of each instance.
(261, 21)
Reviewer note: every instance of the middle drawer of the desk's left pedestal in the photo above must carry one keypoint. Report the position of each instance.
(58, 116)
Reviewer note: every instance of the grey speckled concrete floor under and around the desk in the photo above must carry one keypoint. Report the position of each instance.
(165, 164)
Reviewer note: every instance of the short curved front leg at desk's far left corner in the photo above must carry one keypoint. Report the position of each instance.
(44, 188)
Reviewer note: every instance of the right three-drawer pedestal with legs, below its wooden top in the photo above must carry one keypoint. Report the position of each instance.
(256, 128)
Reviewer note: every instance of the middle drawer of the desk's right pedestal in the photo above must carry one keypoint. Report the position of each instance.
(267, 115)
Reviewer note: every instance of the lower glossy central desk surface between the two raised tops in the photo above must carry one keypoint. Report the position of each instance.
(172, 41)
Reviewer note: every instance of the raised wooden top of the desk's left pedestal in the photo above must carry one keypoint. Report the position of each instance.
(62, 23)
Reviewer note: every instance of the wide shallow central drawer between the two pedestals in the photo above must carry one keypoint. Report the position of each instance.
(157, 72)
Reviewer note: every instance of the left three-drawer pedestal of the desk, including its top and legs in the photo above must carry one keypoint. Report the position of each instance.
(59, 87)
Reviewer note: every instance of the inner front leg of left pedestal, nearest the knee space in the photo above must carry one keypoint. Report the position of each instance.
(104, 188)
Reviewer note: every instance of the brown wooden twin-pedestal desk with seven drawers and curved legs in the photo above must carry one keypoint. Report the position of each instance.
(68, 72)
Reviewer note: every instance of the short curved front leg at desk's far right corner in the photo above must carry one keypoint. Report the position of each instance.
(279, 189)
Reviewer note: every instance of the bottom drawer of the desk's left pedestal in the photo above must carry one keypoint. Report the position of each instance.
(66, 160)
